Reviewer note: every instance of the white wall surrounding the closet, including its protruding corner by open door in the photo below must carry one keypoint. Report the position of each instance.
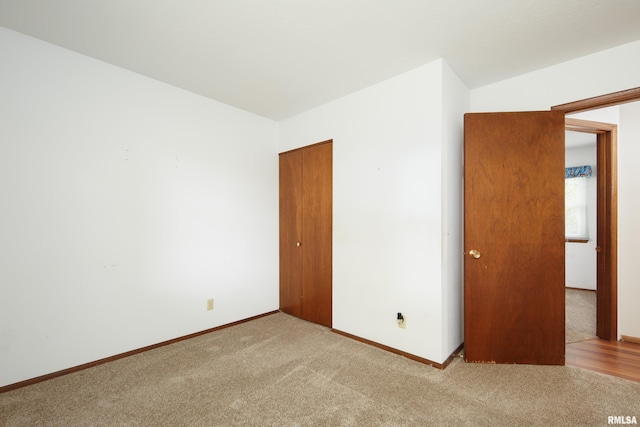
(388, 176)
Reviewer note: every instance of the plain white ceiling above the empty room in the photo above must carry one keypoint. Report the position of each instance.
(277, 58)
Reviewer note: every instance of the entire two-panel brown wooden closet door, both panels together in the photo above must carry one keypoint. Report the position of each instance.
(306, 233)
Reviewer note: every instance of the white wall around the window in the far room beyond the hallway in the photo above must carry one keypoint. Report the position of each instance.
(580, 266)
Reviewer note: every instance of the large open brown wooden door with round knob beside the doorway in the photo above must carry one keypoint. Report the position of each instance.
(514, 294)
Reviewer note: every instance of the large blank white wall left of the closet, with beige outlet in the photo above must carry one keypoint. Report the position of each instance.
(126, 204)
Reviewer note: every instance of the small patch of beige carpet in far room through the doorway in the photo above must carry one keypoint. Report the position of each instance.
(580, 315)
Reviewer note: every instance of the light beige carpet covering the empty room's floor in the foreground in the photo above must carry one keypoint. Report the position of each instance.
(282, 371)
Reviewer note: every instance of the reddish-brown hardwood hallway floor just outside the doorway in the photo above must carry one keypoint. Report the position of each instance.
(620, 359)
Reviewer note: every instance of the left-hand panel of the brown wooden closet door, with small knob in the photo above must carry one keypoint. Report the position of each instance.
(291, 233)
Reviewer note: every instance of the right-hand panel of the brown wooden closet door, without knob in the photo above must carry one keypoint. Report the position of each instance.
(317, 233)
